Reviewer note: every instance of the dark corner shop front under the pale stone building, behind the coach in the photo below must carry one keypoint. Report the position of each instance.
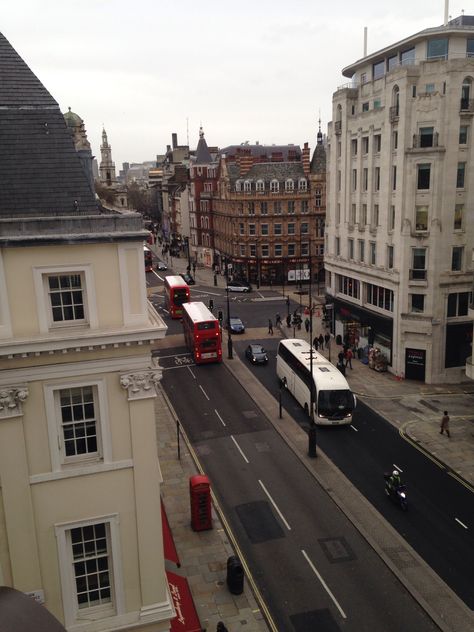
(361, 328)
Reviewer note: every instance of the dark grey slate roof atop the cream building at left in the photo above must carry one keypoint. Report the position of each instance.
(40, 170)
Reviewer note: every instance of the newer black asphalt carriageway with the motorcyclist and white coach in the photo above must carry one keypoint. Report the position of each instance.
(440, 508)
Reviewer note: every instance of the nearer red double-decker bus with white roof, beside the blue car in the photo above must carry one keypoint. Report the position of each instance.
(202, 333)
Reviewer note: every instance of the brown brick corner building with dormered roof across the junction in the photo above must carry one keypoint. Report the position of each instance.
(265, 215)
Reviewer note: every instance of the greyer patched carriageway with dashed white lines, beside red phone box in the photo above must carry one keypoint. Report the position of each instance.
(312, 566)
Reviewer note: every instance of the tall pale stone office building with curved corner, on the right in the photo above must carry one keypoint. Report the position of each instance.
(399, 232)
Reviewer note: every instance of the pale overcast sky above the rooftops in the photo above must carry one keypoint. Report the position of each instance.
(249, 70)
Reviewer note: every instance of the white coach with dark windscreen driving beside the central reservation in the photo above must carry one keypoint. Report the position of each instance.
(333, 399)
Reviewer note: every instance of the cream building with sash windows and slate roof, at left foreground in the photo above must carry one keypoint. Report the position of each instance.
(80, 518)
